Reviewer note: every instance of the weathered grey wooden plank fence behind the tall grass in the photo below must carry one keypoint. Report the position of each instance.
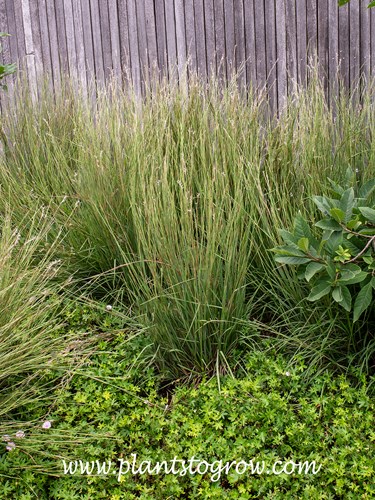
(264, 40)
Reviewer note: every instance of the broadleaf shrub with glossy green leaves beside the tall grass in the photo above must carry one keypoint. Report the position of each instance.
(340, 260)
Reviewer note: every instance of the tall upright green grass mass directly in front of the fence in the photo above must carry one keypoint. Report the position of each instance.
(168, 205)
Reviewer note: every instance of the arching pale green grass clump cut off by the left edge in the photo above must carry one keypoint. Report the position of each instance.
(32, 339)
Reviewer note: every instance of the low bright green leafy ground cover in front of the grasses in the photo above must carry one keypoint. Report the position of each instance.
(266, 414)
